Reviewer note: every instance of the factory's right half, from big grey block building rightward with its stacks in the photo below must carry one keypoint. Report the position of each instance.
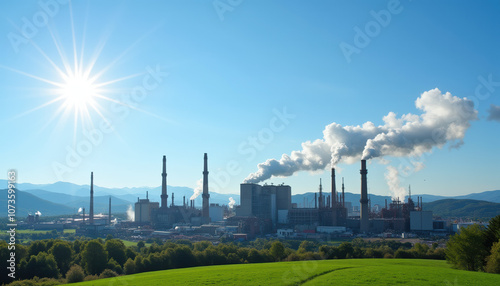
(273, 203)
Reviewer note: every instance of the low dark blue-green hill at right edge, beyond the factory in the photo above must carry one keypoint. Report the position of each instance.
(463, 208)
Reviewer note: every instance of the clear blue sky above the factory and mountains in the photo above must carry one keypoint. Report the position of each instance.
(224, 72)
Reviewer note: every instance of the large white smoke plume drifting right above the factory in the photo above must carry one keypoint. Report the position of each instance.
(444, 119)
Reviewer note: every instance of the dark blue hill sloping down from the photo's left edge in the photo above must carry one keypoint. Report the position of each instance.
(28, 203)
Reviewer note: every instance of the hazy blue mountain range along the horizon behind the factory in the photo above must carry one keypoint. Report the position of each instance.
(66, 198)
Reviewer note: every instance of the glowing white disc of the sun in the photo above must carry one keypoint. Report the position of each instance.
(78, 92)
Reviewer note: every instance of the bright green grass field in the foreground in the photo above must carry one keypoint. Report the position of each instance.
(323, 272)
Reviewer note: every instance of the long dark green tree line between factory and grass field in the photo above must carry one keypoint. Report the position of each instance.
(55, 261)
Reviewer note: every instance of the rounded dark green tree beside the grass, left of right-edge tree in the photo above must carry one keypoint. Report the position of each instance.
(465, 250)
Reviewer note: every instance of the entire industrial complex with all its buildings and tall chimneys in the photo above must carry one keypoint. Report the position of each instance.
(264, 210)
